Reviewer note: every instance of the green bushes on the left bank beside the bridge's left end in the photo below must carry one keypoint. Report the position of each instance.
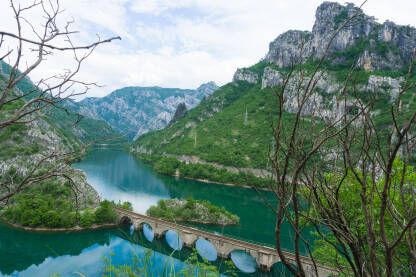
(50, 204)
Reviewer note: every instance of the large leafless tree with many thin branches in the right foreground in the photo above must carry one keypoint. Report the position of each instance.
(347, 177)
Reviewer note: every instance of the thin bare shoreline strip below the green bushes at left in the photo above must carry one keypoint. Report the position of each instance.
(56, 230)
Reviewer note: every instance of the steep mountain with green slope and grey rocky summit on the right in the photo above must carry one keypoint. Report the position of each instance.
(232, 126)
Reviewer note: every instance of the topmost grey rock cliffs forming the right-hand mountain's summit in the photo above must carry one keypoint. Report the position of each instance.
(381, 46)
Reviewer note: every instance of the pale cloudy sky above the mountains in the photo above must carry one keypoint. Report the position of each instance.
(181, 43)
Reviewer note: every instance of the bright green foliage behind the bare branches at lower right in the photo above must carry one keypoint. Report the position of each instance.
(349, 198)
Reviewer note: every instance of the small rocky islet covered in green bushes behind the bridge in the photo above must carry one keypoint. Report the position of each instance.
(190, 210)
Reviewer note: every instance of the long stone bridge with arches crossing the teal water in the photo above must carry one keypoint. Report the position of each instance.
(265, 256)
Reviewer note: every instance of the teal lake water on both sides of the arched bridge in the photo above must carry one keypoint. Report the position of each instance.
(119, 176)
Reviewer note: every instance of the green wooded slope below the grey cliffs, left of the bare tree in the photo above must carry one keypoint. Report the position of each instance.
(217, 130)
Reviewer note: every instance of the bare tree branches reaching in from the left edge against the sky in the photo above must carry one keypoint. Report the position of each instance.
(25, 50)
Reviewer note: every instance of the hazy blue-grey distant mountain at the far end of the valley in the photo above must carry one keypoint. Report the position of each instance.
(138, 110)
